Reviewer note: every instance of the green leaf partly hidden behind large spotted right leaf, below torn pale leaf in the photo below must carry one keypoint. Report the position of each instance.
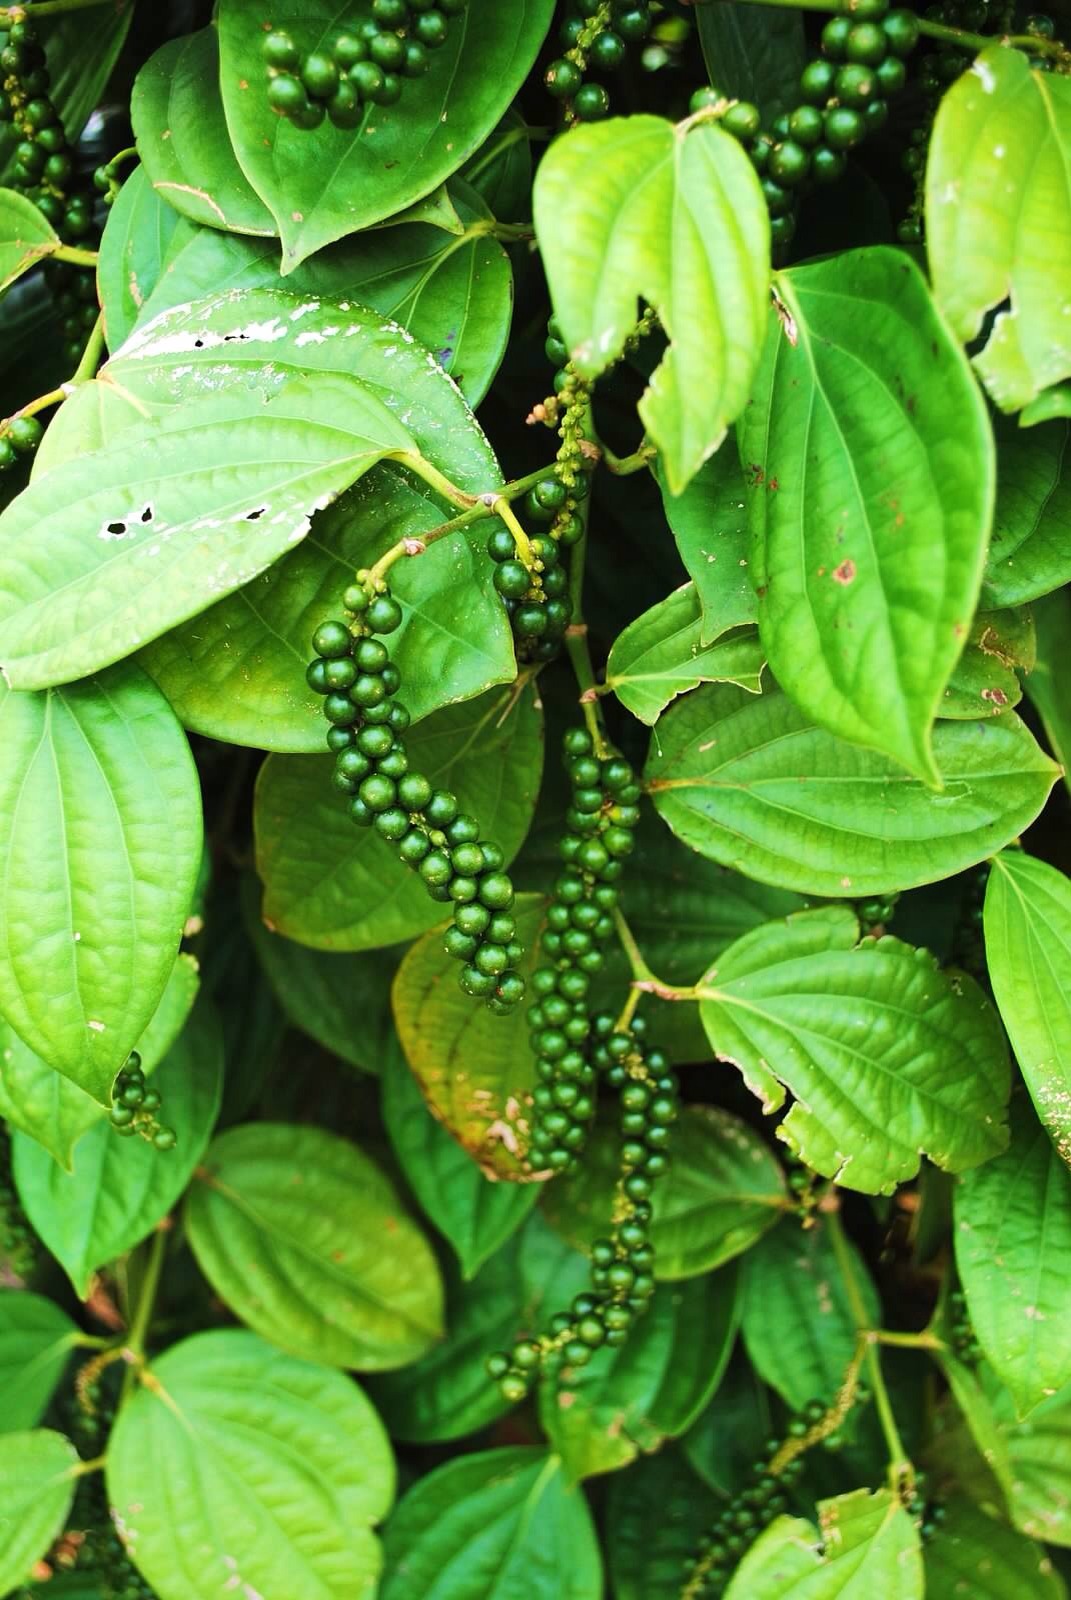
(710, 524)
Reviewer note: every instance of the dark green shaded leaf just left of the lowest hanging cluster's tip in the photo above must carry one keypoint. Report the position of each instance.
(447, 1393)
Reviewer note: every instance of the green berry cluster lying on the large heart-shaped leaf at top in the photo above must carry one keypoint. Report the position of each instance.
(366, 66)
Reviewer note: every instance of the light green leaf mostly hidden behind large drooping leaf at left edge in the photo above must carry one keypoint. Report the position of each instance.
(55, 1111)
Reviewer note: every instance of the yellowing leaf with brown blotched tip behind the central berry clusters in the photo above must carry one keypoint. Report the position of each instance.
(476, 1071)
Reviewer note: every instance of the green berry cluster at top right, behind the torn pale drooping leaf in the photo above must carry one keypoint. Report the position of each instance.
(844, 97)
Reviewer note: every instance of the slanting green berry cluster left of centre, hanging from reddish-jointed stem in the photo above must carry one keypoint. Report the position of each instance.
(359, 684)
